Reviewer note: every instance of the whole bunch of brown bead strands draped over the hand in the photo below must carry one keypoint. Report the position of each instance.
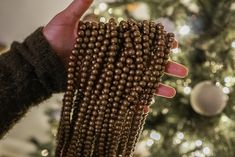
(113, 72)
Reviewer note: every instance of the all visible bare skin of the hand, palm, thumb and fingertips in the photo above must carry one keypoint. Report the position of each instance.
(61, 34)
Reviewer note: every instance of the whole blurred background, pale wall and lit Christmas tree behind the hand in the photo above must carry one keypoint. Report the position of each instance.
(198, 122)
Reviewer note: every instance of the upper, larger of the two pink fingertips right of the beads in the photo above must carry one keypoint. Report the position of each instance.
(176, 69)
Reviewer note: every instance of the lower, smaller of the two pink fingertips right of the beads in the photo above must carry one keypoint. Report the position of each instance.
(165, 91)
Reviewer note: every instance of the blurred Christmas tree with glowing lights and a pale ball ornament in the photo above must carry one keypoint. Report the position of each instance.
(200, 120)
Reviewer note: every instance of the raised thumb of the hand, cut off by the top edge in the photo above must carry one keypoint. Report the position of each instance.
(76, 9)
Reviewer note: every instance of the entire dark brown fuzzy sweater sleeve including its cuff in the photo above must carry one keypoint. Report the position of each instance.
(29, 73)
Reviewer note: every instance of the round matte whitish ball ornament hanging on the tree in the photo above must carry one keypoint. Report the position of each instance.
(208, 99)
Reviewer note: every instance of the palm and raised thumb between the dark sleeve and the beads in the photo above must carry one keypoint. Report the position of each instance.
(61, 31)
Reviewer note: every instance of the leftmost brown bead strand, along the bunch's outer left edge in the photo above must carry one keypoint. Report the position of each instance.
(73, 63)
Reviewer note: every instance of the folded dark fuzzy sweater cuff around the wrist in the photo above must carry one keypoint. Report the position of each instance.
(48, 66)
